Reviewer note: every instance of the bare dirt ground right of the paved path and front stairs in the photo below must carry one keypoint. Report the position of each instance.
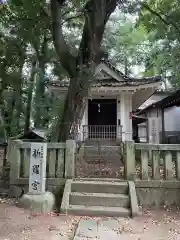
(152, 225)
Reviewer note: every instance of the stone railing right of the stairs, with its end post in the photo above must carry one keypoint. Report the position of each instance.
(155, 161)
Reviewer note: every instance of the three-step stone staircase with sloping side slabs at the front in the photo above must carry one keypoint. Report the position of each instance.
(100, 197)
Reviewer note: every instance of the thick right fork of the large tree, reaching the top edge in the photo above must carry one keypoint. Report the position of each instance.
(96, 16)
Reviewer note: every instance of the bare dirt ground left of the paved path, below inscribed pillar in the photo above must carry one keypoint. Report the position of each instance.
(20, 224)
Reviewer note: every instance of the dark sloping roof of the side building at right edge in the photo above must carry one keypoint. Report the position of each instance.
(170, 101)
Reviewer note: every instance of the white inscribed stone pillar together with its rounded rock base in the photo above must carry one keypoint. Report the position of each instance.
(37, 199)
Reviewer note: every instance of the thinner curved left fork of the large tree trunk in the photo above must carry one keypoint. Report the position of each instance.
(68, 61)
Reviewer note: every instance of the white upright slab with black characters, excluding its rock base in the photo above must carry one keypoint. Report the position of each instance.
(37, 173)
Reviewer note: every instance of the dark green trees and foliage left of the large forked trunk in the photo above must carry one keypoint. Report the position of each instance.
(25, 38)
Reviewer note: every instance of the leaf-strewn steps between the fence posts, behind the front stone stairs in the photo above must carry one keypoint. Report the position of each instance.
(102, 159)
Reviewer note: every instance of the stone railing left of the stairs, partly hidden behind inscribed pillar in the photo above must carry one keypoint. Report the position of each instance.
(56, 168)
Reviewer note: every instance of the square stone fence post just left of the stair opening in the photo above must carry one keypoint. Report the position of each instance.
(70, 159)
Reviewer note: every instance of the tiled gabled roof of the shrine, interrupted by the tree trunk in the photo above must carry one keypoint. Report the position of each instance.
(110, 81)
